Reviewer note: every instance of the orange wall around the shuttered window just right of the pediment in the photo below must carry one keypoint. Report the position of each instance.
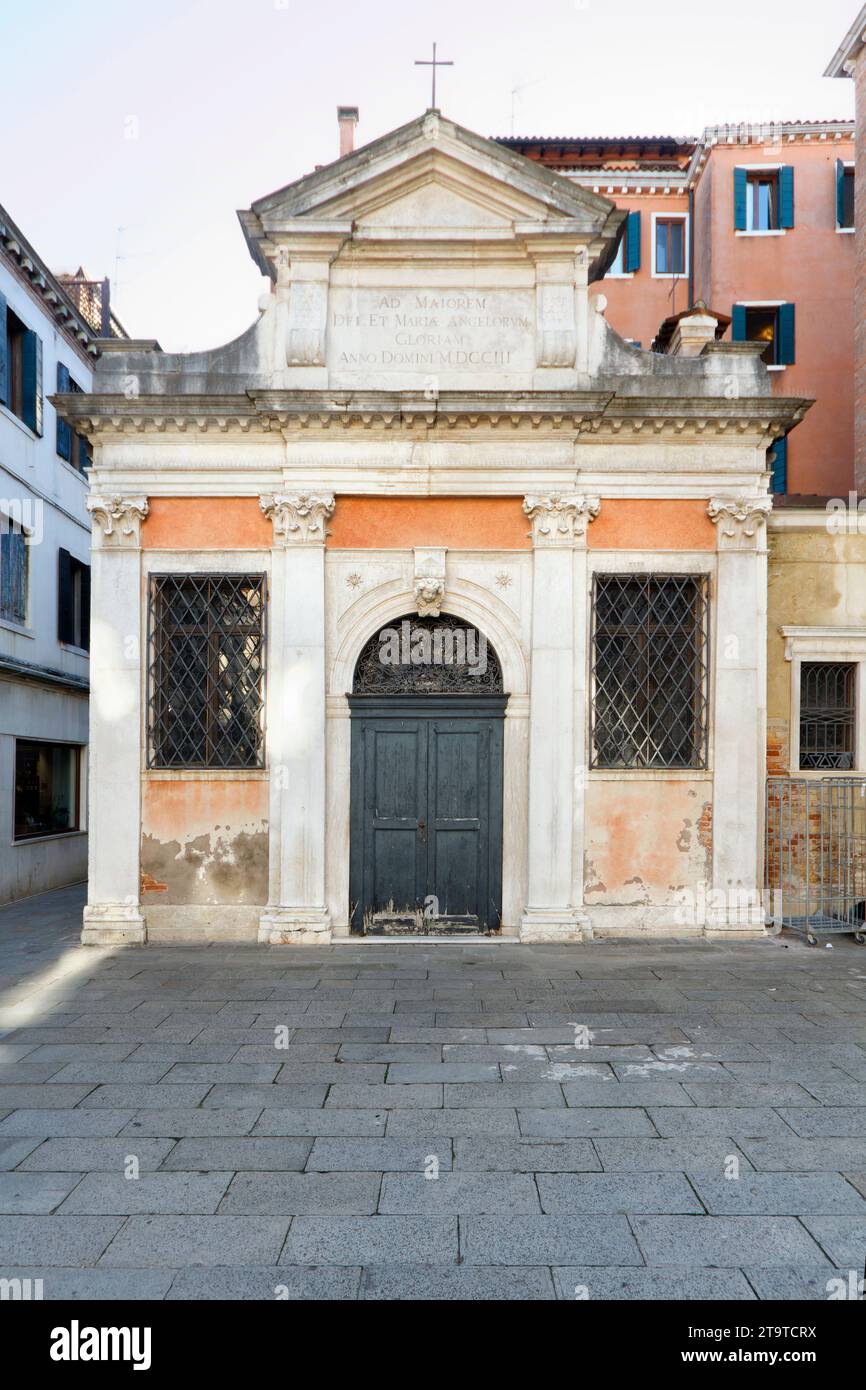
(637, 306)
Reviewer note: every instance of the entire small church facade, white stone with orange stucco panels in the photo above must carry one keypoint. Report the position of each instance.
(430, 604)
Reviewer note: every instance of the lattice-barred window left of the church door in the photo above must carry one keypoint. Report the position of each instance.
(206, 671)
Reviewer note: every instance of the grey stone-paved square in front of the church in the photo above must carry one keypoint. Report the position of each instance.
(415, 1121)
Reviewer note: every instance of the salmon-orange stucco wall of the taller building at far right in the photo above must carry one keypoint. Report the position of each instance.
(812, 268)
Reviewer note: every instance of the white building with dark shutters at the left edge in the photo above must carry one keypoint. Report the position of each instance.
(47, 345)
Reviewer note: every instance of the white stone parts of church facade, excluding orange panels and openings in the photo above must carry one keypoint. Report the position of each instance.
(429, 333)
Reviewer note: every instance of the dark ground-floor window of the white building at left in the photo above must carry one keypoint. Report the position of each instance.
(48, 782)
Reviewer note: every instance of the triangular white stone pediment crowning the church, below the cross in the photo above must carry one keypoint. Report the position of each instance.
(434, 181)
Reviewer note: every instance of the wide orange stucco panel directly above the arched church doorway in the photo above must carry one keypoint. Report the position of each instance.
(458, 523)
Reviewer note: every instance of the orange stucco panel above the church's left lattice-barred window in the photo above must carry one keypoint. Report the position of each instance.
(206, 525)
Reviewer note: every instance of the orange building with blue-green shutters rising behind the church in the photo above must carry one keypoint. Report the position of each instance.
(757, 223)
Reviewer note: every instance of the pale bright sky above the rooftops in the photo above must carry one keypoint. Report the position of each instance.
(133, 133)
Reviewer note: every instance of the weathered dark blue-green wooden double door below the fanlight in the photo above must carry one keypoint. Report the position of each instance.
(426, 853)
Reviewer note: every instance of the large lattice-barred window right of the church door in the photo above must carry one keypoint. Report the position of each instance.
(650, 671)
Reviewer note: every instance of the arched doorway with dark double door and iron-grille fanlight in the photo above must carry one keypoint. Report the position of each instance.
(427, 746)
